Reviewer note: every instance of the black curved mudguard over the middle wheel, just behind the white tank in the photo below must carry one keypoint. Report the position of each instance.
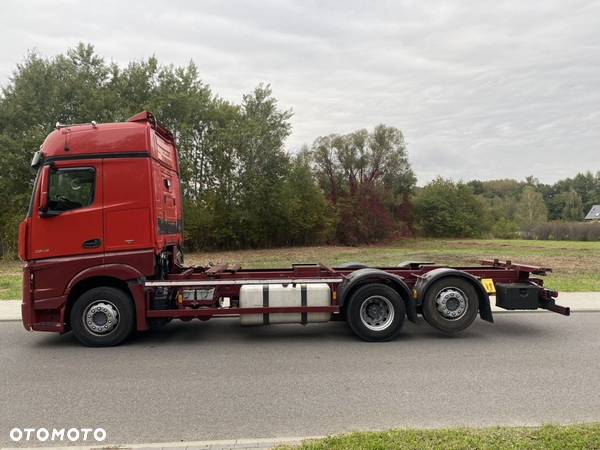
(365, 276)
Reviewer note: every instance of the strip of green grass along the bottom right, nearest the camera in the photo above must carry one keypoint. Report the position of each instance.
(549, 437)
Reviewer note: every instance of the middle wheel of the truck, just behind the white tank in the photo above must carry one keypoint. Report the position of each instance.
(375, 312)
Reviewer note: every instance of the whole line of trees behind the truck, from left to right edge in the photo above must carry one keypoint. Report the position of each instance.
(241, 187)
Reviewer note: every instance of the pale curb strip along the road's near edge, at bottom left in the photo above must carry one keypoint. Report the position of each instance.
(222, 444)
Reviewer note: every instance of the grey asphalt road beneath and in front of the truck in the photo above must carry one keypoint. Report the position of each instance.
(217, 380)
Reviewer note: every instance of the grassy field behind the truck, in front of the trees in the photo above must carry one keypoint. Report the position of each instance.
(576, 264)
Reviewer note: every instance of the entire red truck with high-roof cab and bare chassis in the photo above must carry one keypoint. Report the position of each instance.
(102, 249)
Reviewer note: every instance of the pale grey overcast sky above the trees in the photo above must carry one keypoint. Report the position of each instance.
(480, 89)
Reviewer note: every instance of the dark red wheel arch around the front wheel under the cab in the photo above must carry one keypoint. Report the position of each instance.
(120, 276)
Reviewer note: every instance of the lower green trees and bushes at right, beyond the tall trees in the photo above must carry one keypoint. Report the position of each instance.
(509, 208)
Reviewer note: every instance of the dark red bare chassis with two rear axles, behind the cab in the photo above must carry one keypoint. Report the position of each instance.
(417, 284)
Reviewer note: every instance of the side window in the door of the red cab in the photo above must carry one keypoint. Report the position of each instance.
(71, 188)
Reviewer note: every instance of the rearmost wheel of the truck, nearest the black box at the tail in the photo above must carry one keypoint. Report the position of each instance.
(450, 304)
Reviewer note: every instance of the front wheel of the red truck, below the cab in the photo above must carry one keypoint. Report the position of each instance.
(102, 317)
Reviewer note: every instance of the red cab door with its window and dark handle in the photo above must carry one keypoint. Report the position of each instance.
(71, 224)
